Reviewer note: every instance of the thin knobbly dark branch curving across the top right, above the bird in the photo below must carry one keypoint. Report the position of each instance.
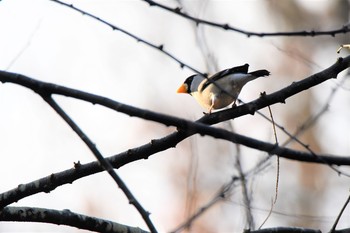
(225, 26)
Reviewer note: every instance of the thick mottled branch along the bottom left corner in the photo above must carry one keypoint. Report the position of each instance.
(65, 217)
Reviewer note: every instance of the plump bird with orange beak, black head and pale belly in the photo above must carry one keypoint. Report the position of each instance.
(221, 89)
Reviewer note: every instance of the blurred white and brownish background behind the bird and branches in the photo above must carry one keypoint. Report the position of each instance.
(52, 43)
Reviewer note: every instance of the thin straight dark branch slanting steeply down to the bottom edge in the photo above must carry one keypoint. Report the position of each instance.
(103, 162)
